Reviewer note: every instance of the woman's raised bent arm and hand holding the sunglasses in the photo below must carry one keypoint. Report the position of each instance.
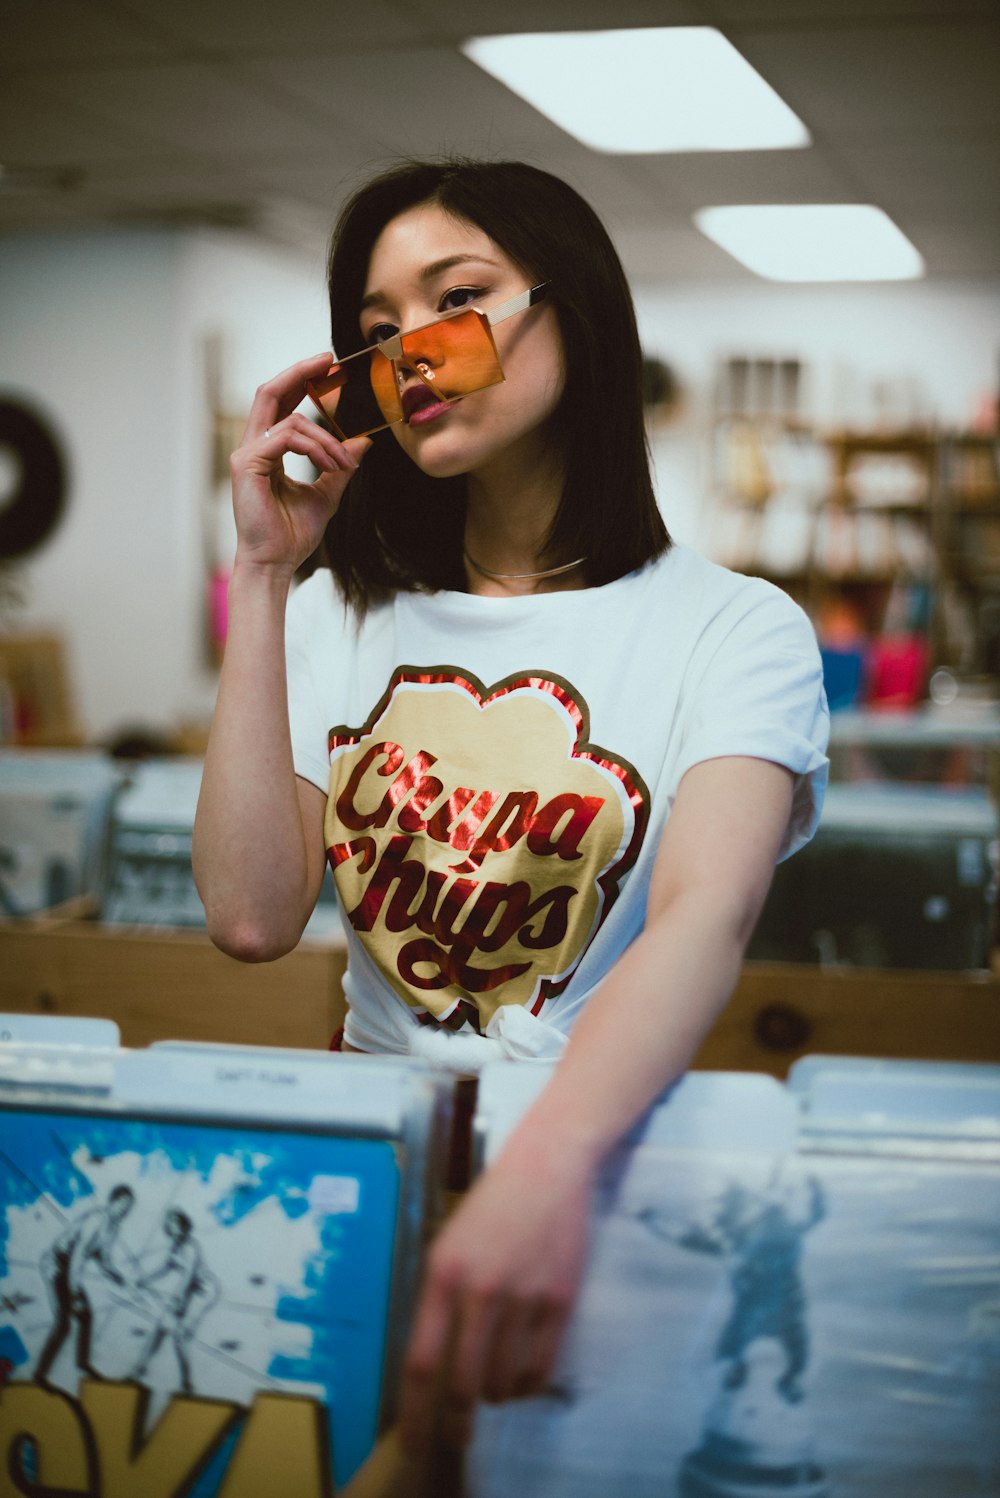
(258, 849)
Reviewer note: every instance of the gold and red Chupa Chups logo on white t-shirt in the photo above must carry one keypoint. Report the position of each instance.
(478, 840)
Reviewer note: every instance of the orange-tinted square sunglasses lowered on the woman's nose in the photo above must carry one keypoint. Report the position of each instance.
(454, 356)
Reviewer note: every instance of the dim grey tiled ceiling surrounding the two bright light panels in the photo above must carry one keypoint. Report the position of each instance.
(261, 115)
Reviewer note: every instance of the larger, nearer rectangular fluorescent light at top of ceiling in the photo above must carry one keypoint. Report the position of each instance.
(652, 89)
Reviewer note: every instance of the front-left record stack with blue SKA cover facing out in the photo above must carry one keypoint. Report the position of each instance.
(201, 1294)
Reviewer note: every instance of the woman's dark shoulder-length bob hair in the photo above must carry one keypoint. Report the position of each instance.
(400, 530)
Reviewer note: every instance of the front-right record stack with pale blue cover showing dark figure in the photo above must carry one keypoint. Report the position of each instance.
(773, 1309)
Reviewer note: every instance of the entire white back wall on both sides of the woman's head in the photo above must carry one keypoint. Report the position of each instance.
(106, 335)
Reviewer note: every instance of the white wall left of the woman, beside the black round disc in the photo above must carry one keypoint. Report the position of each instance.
(103, 333)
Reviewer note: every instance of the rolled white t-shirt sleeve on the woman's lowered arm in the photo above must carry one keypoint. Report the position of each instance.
(757, 690)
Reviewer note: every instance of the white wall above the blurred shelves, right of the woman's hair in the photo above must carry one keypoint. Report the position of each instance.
(902, 353)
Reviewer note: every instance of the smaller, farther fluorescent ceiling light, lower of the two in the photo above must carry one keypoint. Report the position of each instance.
(814, 242)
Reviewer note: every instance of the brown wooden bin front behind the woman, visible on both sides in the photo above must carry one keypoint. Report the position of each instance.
(177, 986)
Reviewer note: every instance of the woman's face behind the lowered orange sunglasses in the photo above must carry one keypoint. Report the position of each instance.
(426, 263)
